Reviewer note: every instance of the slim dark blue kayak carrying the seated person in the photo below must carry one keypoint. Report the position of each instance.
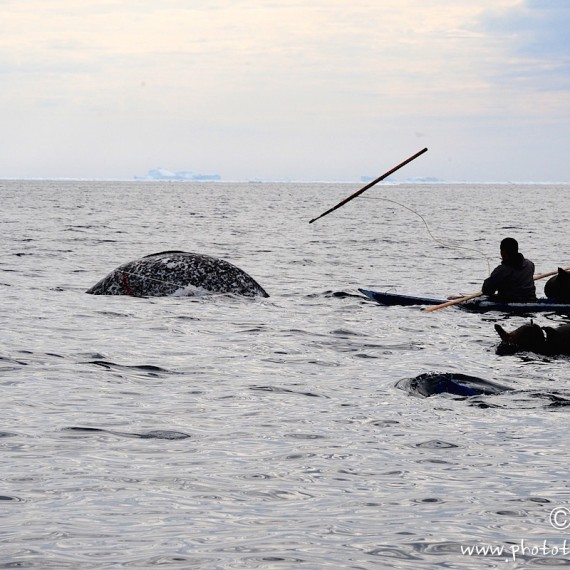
(479, 305)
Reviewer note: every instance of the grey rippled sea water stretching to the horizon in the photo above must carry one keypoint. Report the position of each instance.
(219, 432)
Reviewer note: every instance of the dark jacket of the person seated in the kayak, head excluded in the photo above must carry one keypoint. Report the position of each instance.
(512, 281)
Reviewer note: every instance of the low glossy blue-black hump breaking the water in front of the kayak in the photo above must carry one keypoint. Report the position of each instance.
(432, 383)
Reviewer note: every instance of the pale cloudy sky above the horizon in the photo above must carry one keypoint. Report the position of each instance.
(286, 89)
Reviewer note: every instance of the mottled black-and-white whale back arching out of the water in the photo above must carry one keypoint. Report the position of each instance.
(177, 272)
